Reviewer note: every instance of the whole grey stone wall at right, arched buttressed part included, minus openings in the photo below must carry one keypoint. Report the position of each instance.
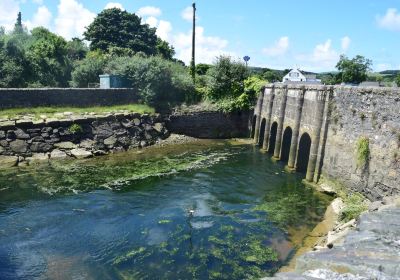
(335, 119)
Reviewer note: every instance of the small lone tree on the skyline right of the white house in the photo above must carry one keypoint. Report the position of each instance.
(353, 70)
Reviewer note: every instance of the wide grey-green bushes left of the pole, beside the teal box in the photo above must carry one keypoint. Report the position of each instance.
(158, 81)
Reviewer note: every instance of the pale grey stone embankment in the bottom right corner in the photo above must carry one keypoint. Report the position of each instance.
(368, 249)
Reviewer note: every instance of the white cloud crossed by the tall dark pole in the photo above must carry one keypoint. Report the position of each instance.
(207, 47)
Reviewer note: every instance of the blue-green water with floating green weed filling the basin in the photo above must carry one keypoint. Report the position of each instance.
(207, 210)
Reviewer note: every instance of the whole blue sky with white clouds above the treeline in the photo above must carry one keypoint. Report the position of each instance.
(308, 34)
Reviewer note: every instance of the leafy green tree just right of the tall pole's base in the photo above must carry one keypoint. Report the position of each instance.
(227, 78)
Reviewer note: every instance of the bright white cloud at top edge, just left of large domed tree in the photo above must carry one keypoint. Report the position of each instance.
(72, 18)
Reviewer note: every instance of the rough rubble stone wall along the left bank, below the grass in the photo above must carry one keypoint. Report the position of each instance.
(79, 138)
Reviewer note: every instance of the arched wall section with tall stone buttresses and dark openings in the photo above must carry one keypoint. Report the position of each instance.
(290, 122)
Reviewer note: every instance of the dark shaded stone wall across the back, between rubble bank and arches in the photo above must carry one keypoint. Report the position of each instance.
(211, 125)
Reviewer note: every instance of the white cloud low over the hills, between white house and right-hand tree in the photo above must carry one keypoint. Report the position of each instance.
(322, 58)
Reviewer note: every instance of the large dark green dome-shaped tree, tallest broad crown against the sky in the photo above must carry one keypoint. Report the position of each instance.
(116, 28)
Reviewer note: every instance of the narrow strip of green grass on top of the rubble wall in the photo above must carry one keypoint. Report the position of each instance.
(51, 111)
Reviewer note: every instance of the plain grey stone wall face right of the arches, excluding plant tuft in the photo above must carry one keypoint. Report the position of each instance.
(373, 113)
